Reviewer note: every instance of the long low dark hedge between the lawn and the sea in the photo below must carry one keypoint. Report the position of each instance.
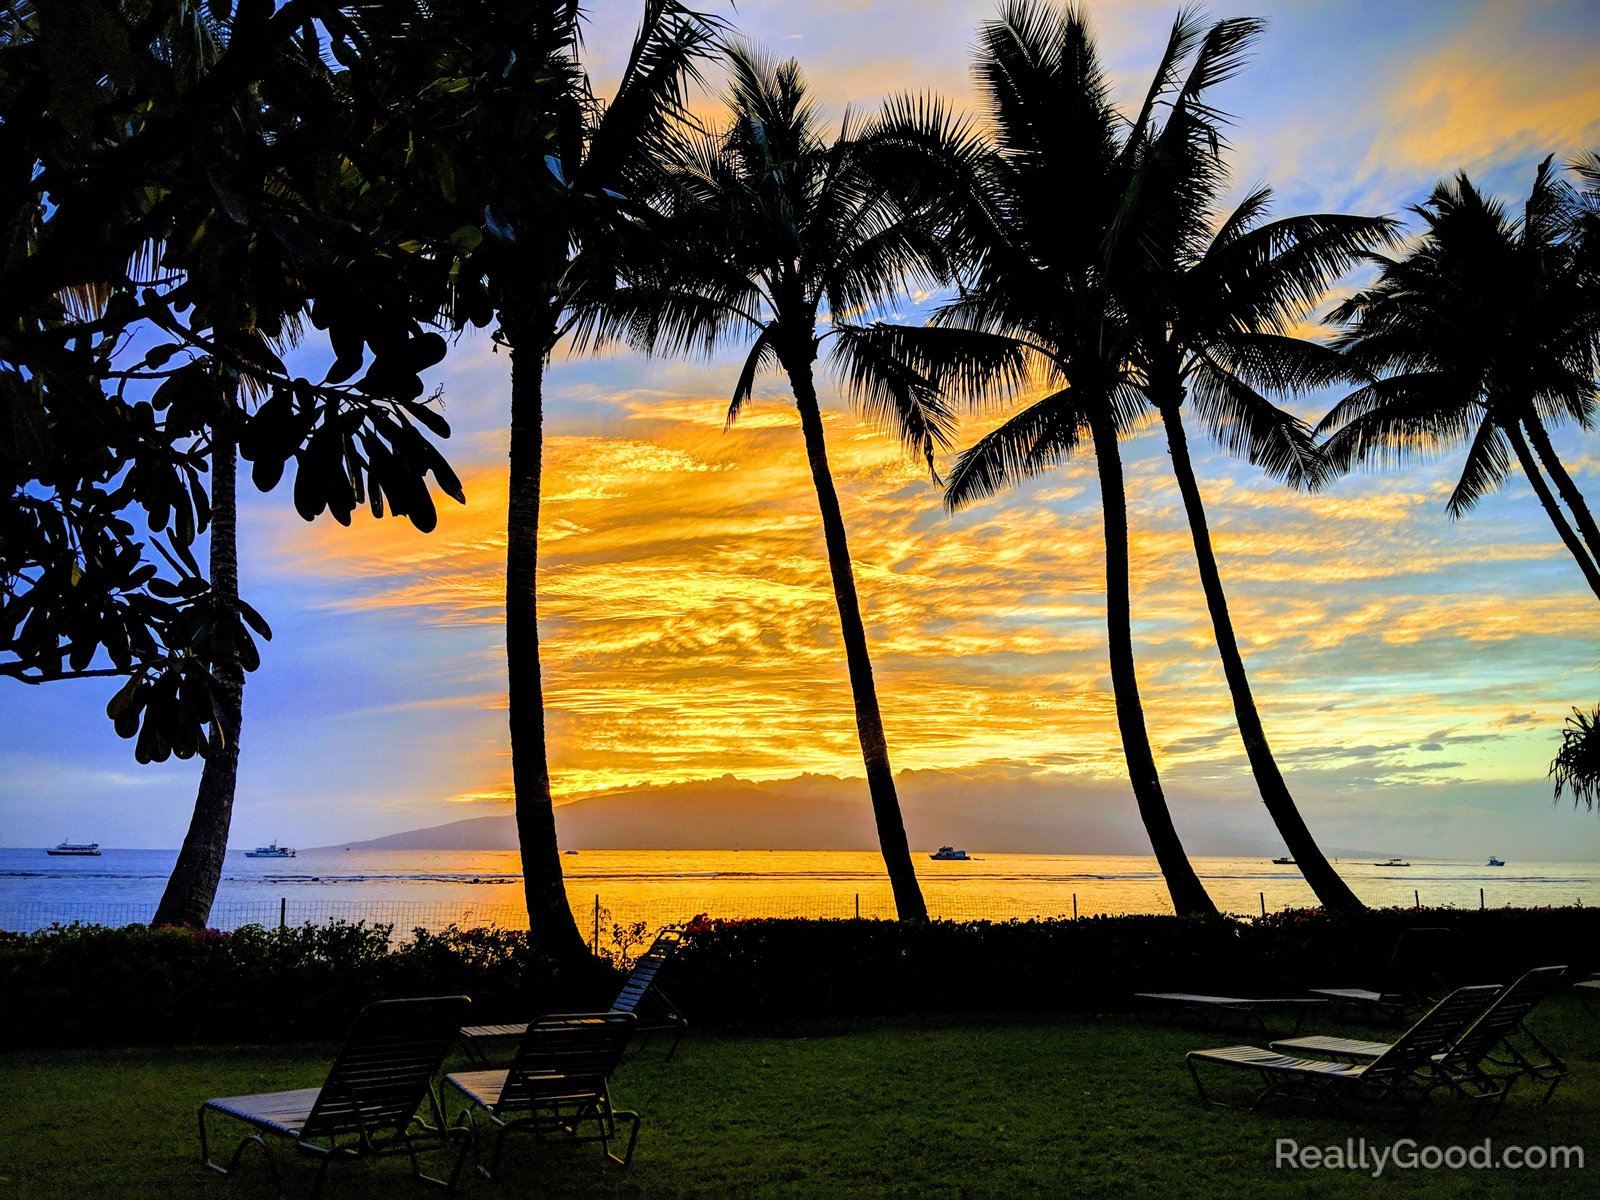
(113, 986)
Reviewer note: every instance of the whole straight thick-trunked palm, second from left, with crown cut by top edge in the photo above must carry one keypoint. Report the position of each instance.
(524, 180)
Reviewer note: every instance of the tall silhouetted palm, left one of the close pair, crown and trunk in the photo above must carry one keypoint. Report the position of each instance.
(1054, 210)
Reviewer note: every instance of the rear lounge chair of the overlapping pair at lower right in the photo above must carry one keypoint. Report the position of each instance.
(1492, 1047)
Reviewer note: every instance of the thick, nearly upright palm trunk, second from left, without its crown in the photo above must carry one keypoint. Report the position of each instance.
(550, 916)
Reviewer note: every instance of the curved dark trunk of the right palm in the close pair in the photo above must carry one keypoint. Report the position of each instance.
(1324, 881)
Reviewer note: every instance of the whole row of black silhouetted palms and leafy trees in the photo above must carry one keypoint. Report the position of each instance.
(193, 188)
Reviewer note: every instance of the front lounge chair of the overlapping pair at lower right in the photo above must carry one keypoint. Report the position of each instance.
(1404, 1073)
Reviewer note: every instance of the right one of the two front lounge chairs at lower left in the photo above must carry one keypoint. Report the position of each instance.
(556, 1087)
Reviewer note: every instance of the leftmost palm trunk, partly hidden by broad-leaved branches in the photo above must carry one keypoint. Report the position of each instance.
(193, 886)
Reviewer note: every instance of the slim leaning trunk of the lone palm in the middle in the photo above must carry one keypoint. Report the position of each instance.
(870, 722)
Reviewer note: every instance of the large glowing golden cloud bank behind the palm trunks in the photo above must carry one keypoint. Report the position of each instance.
(689, 622)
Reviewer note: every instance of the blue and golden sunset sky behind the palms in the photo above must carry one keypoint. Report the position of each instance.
(1414, 673)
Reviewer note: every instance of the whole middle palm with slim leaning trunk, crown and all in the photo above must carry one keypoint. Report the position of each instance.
(774, 230)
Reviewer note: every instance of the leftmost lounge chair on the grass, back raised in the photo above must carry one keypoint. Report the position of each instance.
(367, 1106)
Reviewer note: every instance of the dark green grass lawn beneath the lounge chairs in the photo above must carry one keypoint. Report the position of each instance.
(1055, 1108)
